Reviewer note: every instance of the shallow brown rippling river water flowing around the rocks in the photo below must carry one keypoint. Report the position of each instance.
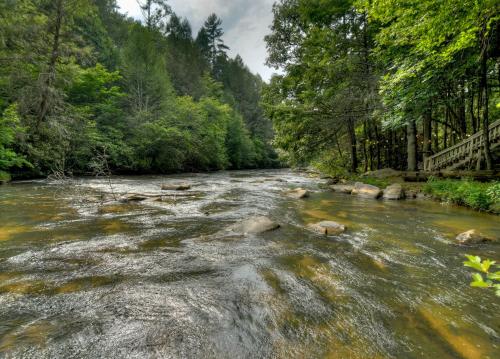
(159, 279)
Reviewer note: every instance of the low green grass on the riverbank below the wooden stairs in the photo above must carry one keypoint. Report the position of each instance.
(476, 195)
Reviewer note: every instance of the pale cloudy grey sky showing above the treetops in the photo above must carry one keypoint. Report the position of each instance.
(245, 24)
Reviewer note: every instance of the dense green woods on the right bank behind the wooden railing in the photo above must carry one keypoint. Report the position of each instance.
(382, 83)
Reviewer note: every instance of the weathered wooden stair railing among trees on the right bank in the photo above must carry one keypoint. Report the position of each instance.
(468, 148)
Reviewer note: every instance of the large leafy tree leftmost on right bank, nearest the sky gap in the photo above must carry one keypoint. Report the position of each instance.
(330, 85)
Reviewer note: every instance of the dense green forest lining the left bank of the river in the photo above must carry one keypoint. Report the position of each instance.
(87, 90)
